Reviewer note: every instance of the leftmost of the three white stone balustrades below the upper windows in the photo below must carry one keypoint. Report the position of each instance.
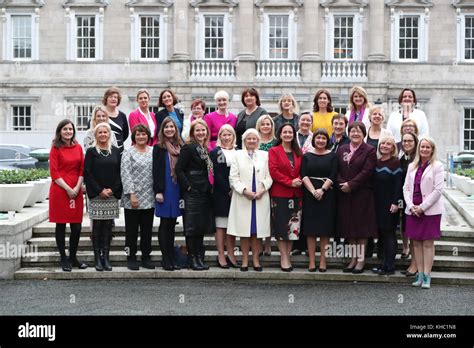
(212, 70)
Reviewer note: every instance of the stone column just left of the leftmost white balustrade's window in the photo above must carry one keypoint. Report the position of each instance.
(181, 31)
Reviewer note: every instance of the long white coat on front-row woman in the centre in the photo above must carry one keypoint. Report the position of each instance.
(240, 178)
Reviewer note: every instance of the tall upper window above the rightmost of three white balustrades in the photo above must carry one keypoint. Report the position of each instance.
(343, 37)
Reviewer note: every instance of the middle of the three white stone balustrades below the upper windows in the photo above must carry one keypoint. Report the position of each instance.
(285, 70)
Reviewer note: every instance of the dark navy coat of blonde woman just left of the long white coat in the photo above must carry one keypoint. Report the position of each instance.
(220, 195)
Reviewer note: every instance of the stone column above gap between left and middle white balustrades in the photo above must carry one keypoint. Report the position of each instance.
(246, 30)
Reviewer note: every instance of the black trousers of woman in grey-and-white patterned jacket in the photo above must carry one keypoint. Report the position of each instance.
(138, 219)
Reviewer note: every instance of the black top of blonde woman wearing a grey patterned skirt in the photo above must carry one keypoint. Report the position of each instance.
(102, 172)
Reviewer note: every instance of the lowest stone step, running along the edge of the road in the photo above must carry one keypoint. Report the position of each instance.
(268, 274)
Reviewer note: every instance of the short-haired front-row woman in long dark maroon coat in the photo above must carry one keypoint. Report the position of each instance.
(356, 208)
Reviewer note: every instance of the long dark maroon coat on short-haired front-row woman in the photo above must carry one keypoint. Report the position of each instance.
(356, 209)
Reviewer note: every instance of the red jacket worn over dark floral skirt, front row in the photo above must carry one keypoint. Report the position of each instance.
(283, 174)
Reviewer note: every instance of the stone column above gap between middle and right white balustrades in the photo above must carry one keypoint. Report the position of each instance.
(311, 31)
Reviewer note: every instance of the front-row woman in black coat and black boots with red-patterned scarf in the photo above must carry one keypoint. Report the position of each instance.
(195, 176)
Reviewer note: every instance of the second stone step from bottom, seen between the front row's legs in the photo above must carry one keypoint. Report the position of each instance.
(118, 258)
